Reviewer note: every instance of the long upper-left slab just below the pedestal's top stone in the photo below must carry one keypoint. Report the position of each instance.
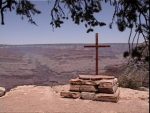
(78, 81)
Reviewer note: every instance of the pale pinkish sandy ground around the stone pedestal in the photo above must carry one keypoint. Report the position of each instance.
(46, 99)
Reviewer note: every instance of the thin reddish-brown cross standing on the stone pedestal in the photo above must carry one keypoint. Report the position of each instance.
(97, 46)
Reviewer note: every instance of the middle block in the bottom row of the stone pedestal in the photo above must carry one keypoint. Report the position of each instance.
(87, 95)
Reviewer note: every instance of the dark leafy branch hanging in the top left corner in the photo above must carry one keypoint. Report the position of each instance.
(23, 8)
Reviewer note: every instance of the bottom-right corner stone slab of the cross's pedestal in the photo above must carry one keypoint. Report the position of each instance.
(107, 97)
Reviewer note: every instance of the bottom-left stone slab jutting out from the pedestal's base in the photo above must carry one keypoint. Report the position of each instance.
(68, 94)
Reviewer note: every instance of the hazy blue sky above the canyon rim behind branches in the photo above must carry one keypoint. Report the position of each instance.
(17, 31)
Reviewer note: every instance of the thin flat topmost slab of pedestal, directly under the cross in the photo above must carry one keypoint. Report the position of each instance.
(95, 77)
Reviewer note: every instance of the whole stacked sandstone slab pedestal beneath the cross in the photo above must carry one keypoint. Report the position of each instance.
(93, 87)
